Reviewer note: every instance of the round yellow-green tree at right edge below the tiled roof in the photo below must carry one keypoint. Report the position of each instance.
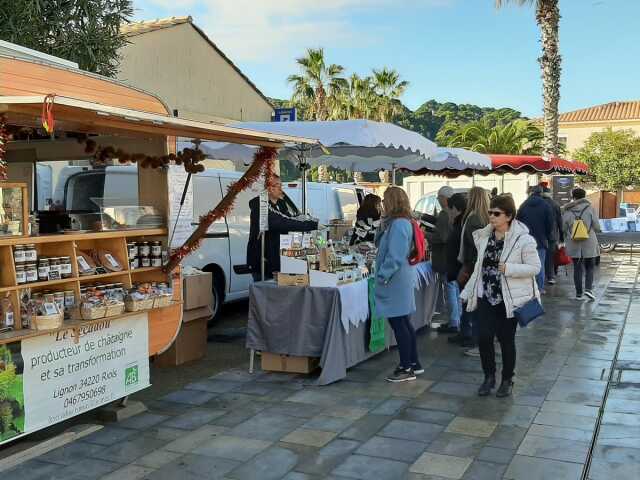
(613, 157)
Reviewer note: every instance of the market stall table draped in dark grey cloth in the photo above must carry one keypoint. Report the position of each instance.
(310, 322)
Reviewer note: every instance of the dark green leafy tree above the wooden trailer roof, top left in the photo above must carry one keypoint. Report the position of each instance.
(84, 31)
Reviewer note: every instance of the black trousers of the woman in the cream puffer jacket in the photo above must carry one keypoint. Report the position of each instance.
(493, 322)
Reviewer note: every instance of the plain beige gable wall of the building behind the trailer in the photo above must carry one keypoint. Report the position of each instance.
(179, 65)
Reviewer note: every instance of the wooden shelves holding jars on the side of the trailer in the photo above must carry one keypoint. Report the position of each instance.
(69, 245)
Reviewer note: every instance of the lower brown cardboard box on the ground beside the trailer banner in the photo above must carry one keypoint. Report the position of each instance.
(191, 342)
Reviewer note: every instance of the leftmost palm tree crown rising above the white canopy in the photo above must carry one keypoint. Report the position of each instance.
(317, 88)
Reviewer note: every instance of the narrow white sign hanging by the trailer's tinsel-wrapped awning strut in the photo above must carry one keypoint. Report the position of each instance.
(177, 178)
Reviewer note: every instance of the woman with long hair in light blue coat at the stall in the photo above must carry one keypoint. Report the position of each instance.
(396, 281)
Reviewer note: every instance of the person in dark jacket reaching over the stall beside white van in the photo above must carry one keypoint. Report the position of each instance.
(283, 218)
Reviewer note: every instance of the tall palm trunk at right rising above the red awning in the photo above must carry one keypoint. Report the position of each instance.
(548, 18)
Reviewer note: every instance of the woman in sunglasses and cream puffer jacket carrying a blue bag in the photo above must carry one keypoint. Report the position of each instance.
(503, 279)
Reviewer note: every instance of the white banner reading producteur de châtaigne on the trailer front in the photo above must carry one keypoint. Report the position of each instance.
(50, 378)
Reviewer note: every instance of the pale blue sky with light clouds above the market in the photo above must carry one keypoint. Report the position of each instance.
(463, 51)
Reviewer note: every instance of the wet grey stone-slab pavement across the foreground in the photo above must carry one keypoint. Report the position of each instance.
(270, 426)
